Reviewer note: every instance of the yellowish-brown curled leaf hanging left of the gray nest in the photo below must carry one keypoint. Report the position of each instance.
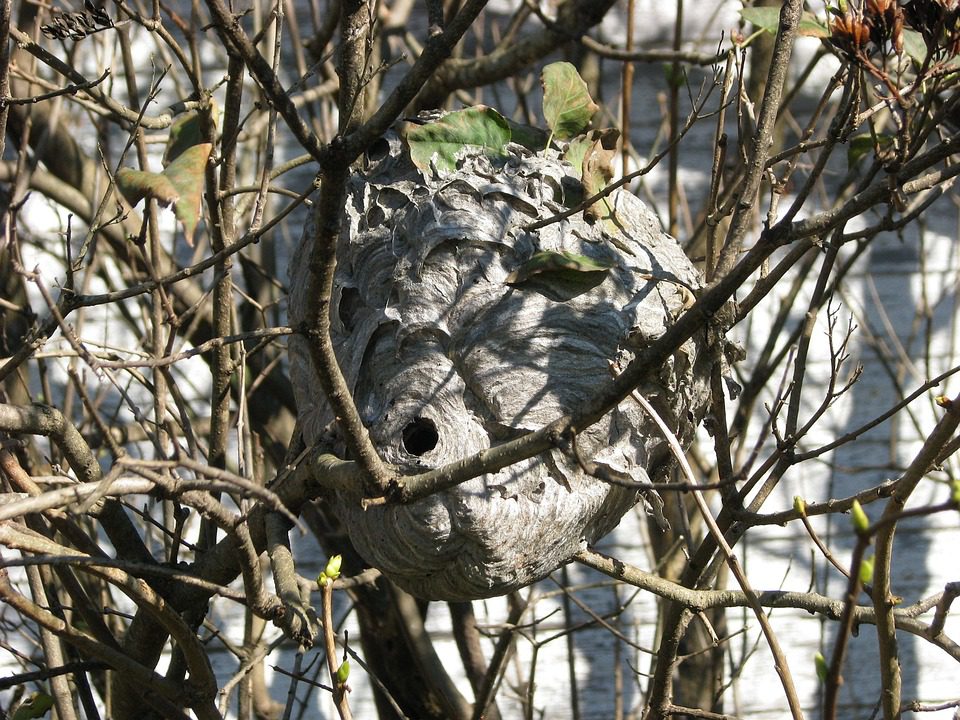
(180, 184)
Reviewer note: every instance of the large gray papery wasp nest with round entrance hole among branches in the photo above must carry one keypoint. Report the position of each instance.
(448, 354)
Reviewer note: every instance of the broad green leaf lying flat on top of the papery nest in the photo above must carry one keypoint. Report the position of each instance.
(476, 129)
